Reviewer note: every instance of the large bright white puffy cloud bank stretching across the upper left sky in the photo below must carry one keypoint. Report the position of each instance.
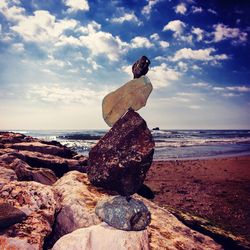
(44, 28)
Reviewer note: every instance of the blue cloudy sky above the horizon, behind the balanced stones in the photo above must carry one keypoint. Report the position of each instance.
(58, 59)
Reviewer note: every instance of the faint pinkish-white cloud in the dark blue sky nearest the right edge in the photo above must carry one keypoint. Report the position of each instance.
(223, 32)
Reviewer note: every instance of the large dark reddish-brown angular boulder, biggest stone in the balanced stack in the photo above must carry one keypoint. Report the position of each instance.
(121, 159)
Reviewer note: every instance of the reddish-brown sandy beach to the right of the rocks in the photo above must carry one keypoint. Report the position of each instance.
(217, 189)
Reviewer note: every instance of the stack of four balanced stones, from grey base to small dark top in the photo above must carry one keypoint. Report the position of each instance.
(121, 159)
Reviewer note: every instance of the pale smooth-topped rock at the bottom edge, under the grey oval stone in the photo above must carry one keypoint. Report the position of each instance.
(103, 237)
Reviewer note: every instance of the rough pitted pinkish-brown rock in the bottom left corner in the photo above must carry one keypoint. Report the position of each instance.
(38, 202)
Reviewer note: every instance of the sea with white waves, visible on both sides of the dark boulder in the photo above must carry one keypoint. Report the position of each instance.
(169, 144)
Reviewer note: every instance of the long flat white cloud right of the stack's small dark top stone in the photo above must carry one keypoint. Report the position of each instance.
(200, 54)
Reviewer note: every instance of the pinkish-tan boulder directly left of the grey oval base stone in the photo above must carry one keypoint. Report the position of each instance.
(77, 204)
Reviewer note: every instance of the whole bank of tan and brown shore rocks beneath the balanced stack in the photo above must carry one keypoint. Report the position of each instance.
(51, 204)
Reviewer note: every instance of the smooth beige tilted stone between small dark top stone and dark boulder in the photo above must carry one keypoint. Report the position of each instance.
(133, 94)
